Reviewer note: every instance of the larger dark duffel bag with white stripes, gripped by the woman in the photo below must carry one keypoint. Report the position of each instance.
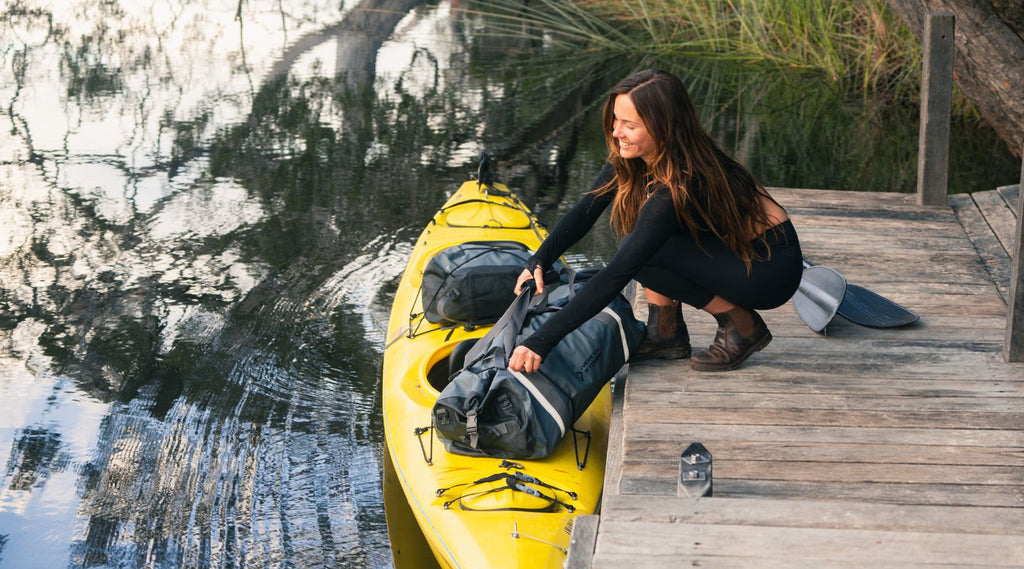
(489, 411)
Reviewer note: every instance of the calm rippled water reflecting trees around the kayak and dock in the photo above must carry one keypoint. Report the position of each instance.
(204, 209)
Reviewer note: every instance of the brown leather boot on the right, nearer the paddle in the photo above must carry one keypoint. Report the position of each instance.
(741, 333)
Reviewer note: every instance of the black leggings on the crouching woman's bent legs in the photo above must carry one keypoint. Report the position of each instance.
(684, 272)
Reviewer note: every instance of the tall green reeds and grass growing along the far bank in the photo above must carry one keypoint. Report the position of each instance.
(859, 47)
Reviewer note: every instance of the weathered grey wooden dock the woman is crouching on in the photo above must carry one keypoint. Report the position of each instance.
(859, 449)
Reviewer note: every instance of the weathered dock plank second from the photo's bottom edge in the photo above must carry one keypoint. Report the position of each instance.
(814, 514)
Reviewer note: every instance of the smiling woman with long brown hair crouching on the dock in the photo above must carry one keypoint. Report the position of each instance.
(696, 228)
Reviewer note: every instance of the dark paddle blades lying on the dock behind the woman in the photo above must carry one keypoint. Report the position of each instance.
(824, 293)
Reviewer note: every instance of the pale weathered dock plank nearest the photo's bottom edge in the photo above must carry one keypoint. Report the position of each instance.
(775, 546)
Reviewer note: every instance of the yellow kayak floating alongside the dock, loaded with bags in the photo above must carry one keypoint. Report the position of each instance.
(464, 507)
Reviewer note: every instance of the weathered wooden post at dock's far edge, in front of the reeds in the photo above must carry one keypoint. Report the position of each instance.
(936, 105)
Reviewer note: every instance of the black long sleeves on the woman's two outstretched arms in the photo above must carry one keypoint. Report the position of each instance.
(656, 224)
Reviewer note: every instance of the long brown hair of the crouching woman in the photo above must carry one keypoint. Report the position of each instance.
(729, 203)
